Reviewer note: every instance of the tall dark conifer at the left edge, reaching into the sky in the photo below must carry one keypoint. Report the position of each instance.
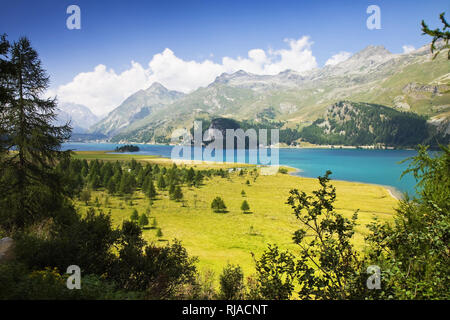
(34, 189)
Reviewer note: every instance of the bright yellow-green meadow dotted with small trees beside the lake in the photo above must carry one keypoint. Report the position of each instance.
(218, 238)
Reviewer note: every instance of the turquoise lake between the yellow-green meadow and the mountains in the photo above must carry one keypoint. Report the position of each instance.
(369, 166)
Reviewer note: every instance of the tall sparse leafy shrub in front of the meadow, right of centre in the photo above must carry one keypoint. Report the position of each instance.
(328, 266)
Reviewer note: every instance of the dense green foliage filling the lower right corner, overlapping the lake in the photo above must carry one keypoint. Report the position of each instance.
(413, 250)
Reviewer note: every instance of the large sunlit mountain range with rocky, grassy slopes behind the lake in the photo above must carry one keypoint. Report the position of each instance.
(412, 82)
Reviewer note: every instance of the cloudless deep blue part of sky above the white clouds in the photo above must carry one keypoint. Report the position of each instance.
(114, 33)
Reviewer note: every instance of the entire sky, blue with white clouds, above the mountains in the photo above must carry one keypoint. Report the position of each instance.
(125, 46)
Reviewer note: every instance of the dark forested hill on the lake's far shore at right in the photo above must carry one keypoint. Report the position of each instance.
(351, 123)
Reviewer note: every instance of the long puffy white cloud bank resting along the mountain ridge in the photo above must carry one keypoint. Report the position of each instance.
(103, 89)
